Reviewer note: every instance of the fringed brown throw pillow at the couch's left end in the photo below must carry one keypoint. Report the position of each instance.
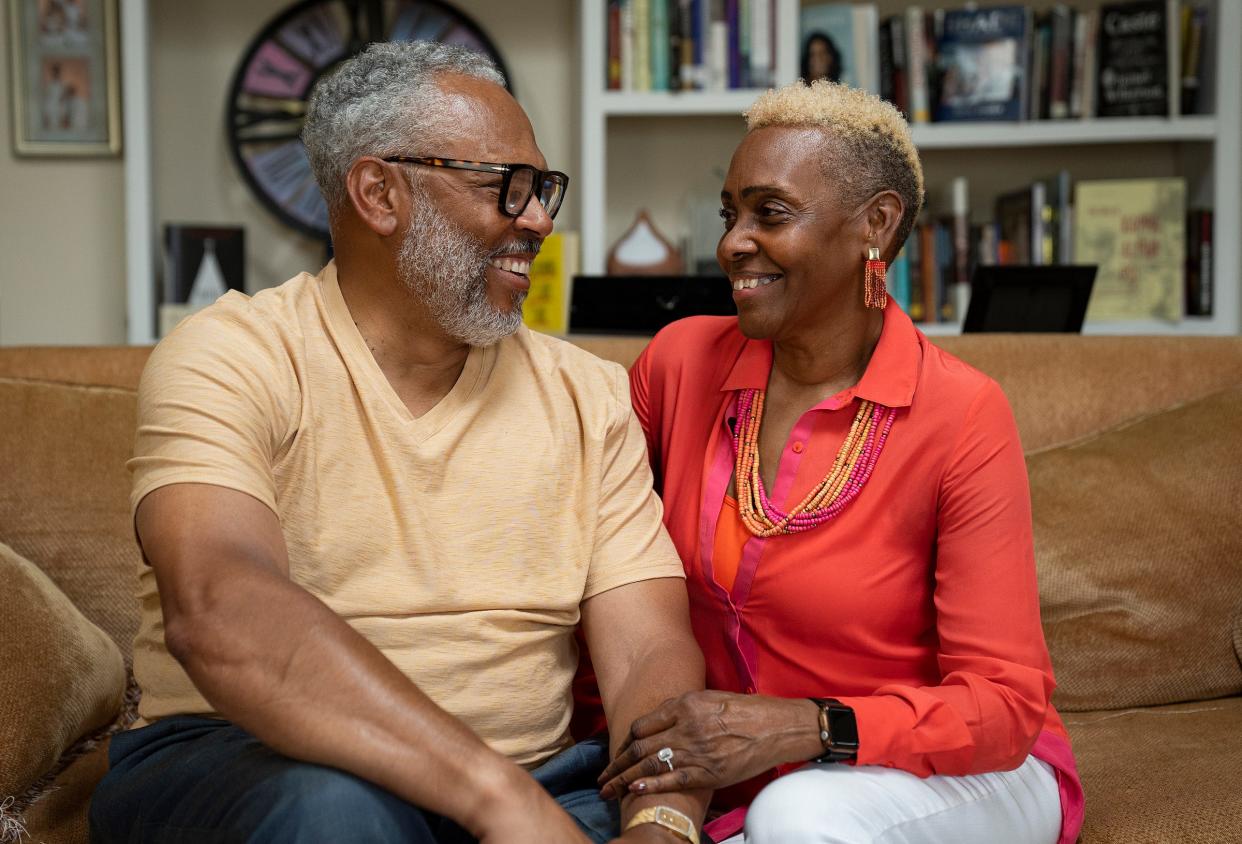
(61, 677)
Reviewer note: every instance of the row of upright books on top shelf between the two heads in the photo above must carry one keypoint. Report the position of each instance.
(691, 45)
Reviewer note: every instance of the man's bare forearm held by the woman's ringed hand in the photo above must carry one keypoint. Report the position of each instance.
(644, 655)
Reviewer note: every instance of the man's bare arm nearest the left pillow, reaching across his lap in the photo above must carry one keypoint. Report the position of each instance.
(278, 662)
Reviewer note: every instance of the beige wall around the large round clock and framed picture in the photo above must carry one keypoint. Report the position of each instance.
(63, 254)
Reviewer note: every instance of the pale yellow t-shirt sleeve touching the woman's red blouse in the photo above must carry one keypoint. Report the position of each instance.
(632, 543)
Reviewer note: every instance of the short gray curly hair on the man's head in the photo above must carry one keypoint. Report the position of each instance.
(384, 101)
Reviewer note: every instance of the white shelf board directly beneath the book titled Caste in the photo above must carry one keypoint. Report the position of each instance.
(1065, 133)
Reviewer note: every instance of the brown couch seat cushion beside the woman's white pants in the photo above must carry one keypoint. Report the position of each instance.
(1161, 775)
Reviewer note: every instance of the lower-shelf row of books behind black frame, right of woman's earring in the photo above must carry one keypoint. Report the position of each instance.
(1154, 256)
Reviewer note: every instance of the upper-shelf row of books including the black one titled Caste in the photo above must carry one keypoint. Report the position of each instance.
(1005, 63)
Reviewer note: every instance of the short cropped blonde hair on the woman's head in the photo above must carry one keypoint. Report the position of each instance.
(874, 150)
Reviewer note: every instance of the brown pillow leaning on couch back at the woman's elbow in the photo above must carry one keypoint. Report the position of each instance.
(1140, 552)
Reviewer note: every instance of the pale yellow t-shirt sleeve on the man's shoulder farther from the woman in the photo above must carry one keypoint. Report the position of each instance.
(217, 405)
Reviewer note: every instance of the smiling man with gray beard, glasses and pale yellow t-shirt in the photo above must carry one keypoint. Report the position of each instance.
(374, 508)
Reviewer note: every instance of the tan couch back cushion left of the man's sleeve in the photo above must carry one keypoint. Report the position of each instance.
(65, 502)
